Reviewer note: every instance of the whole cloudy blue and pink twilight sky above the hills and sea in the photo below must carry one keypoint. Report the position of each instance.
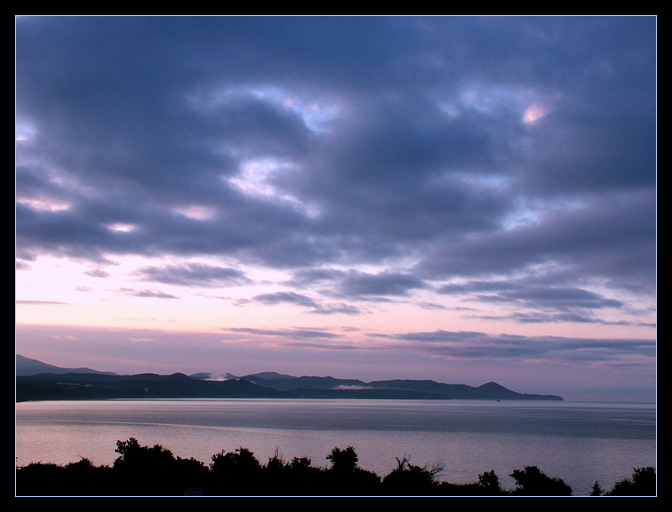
(458, 198)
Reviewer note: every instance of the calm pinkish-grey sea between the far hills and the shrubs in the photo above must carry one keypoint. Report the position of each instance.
(579, 442)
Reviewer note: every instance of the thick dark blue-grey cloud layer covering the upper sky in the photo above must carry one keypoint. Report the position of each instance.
(439, 148)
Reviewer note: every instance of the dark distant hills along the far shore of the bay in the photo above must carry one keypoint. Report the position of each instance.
(36, 380)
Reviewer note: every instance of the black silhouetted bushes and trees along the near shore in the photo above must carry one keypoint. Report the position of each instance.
(155, 471)
